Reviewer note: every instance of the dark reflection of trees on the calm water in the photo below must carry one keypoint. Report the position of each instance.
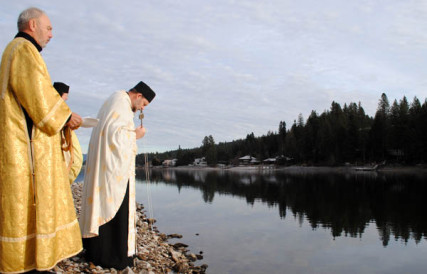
(343, 203)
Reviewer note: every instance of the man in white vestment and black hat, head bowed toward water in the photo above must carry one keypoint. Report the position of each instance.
(108, 211)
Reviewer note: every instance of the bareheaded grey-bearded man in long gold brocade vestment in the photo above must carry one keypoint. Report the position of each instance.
(38, 225)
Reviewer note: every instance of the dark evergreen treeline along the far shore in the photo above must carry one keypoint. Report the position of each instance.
(397, 133)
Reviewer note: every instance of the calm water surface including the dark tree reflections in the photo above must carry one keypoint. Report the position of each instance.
(294, 222)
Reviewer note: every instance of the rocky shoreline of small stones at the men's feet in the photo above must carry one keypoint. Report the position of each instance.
(154, 254)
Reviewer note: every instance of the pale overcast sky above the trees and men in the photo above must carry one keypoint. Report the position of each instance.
(228, 68)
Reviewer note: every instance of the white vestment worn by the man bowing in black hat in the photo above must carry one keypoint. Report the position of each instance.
(110, 166)
